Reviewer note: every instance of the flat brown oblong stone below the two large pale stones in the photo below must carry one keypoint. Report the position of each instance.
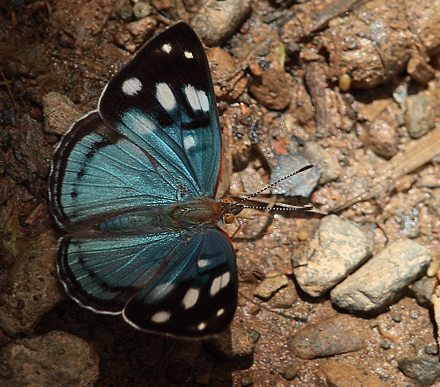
(334, 336)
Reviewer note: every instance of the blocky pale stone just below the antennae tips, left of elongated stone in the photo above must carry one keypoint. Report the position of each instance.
(336, 249)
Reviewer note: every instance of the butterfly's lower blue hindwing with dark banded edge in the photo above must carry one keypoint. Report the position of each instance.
(102, 273)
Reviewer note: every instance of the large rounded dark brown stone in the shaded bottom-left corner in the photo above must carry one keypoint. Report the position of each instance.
(54, 359)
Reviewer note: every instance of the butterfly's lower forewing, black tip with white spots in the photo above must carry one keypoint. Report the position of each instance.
(201, 300)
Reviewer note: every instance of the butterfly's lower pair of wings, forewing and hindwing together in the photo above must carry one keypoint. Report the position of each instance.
(178, 283)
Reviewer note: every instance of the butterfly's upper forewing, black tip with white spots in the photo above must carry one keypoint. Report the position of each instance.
(163, 101)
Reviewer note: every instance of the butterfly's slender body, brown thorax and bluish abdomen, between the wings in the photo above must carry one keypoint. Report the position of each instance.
(188, 214)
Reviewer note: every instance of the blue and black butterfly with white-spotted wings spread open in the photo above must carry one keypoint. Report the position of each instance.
(133, 184)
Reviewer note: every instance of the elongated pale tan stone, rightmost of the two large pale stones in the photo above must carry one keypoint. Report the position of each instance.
(383, 278)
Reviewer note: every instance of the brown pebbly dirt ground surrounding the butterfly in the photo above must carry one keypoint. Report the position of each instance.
(279, 77)
